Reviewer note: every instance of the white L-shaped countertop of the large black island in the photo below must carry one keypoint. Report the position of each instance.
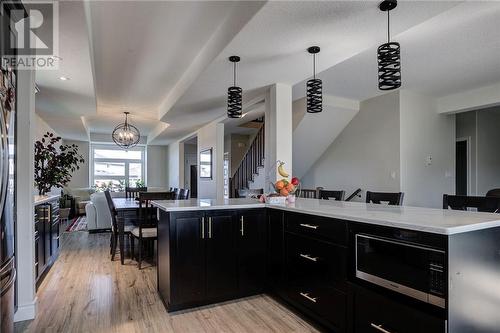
(438, 221)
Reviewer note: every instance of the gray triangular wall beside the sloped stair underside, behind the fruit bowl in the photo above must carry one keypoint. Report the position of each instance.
(366, 154)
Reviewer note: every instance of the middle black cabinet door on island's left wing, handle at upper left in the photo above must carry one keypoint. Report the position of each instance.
(221, 258)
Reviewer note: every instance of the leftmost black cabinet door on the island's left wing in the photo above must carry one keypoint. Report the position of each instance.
(187, 243)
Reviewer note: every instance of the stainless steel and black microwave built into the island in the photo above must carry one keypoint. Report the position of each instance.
(412, 269)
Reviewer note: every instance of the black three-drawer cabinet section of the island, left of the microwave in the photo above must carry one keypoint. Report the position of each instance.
(316, 268)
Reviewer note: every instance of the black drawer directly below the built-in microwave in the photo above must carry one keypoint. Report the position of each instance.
(375, 313)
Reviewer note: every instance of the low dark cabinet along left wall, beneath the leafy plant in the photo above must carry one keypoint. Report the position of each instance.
(47, 237)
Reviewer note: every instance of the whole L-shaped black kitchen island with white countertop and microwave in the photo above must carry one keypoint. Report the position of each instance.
(351, 267)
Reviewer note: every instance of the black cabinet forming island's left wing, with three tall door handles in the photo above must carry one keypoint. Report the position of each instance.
(203, 257)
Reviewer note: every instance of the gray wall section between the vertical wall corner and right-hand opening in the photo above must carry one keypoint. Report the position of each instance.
(427, 151)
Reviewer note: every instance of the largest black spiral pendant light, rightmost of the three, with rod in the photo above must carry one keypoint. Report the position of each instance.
(389, 55)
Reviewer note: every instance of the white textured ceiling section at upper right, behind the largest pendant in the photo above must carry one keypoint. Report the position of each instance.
(455, 51)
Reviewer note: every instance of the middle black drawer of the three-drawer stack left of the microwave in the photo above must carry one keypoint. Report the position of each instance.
(311, 262)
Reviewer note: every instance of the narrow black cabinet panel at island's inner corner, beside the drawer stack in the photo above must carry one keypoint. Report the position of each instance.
(275, 249)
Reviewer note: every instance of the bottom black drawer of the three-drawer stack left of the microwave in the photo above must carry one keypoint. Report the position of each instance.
(328, 304)
